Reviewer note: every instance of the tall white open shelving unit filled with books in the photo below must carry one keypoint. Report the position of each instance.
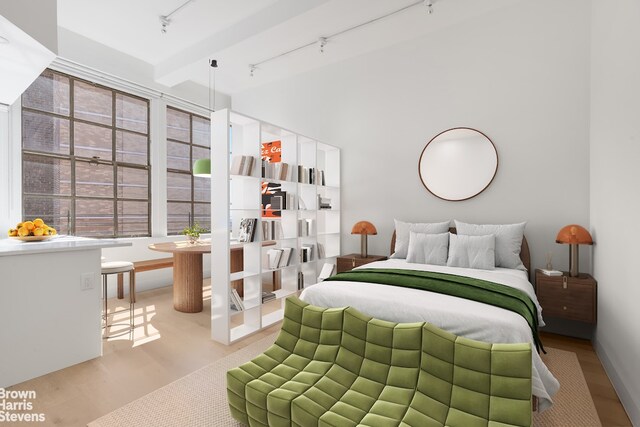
(236, 197)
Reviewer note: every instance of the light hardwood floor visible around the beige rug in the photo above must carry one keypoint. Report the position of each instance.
(168, 345)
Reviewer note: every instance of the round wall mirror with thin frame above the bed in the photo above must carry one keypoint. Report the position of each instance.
(458, 164)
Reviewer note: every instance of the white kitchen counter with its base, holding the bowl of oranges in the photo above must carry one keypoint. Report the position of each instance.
(50, 305)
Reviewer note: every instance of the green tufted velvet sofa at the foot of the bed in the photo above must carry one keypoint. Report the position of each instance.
(339, 367)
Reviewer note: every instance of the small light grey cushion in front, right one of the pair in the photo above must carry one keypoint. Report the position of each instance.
(472, 251)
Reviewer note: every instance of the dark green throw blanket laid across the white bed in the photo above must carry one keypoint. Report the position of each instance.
(449, 284)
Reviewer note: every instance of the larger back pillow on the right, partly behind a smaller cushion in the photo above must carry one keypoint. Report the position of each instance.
(508, 241)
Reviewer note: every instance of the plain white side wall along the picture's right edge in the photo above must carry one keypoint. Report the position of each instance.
(615, 201)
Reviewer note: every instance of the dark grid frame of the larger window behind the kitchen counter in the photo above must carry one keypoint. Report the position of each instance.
(73, 159)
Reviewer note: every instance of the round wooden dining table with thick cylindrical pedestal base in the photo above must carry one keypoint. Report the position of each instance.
(187, 272)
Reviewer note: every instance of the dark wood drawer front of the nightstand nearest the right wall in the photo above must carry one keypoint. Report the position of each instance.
(576, 302)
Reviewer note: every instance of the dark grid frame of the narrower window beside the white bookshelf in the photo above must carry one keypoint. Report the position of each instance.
(191, 145)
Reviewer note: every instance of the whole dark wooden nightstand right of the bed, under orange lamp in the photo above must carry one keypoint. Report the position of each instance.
(566, 297)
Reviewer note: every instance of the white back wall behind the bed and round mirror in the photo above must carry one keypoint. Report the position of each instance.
(519, 74)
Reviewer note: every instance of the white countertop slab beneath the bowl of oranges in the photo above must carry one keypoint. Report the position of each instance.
(11, 247)
